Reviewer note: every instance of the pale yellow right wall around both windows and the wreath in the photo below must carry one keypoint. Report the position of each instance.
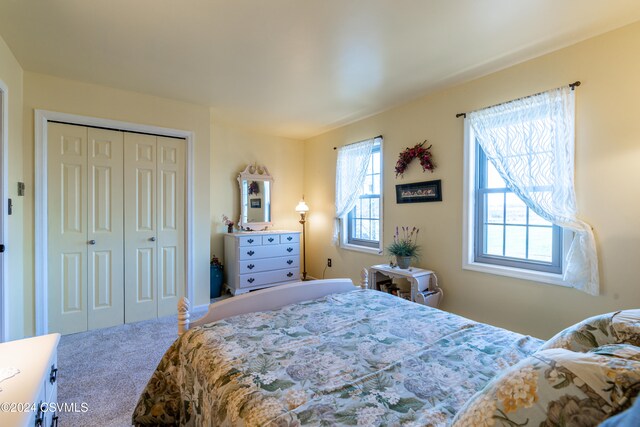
(607, 184)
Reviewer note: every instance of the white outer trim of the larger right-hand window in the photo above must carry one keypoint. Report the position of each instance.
(471, 224)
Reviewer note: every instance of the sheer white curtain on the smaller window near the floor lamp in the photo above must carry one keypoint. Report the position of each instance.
(351, 169)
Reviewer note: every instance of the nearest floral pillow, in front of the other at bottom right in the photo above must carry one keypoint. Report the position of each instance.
(555, 387)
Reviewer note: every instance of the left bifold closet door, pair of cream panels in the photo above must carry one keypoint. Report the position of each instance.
(86, 230)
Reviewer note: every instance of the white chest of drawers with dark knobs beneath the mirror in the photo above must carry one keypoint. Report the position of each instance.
(257, 260)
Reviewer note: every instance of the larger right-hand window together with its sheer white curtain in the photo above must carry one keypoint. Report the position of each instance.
(520, 205)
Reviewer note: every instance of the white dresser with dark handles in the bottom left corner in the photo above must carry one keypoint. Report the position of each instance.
(29, 397)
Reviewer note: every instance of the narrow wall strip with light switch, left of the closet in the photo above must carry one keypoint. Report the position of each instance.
(11, 75)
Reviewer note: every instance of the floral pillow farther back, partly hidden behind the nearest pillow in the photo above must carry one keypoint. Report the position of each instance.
(611, 328)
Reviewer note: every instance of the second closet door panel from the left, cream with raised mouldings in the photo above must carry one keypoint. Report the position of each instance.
(106, 228)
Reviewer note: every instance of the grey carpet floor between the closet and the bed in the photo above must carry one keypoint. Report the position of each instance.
(108, 368)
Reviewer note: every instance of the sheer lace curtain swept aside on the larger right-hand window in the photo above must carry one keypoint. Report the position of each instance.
(530, 141)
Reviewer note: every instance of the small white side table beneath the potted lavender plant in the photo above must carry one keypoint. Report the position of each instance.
(424, 283)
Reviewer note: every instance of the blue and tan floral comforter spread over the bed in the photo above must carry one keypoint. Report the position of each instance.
(357, 358)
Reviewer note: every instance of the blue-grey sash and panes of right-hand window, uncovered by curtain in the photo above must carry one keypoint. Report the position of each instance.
(507, 232)
